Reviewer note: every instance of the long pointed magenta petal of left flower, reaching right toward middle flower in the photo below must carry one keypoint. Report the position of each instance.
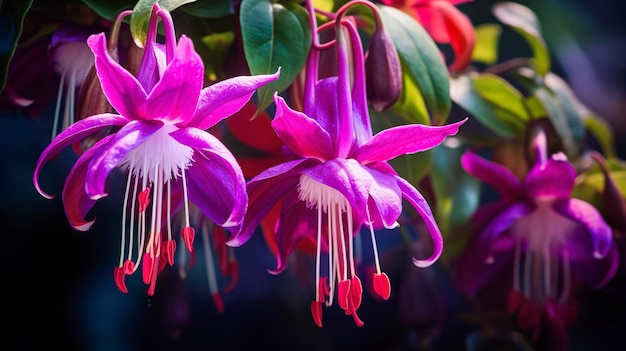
(226, 97)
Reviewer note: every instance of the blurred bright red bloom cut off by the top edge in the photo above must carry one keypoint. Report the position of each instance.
(445, 24)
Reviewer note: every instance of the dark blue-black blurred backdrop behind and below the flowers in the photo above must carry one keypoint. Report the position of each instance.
(59, 284)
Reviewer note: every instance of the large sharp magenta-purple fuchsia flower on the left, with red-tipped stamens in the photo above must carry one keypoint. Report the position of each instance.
(162, 143)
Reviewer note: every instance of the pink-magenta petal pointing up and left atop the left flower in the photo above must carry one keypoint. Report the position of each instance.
(121, 88)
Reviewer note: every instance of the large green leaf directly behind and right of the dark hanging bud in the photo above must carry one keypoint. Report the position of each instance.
(422, 59)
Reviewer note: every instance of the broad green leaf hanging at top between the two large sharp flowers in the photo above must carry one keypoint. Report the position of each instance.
(274, 35)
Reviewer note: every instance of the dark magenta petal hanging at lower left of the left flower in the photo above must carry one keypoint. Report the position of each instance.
(75, 200)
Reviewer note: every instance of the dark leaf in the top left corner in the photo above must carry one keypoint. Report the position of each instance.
(11, 20)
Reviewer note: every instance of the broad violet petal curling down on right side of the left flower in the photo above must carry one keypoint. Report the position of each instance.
(216, 184)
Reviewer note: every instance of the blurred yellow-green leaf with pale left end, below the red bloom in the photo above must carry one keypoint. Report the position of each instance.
(488, 110)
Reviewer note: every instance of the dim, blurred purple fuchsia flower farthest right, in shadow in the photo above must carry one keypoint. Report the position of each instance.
(550, 240)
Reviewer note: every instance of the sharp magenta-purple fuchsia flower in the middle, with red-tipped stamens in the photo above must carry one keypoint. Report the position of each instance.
(338, 179)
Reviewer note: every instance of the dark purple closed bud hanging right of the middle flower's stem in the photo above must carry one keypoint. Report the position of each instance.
(383, 73)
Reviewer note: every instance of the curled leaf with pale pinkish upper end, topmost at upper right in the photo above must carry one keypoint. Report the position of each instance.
(525, 22)
